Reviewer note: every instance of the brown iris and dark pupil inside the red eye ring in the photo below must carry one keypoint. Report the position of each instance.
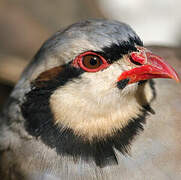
(91, 61)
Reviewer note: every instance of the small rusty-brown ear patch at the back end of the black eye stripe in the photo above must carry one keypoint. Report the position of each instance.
(47, 76)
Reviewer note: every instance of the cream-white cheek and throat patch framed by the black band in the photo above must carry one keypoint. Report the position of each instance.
(93, 106)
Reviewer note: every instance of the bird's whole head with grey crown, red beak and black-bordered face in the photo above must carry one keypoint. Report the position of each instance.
(91, 80)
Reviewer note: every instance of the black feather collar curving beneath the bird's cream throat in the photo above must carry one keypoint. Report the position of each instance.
(42, 124)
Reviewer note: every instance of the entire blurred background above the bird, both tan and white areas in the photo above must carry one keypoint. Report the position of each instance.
(26, 24)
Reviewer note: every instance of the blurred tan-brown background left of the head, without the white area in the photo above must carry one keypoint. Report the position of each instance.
(26, 24)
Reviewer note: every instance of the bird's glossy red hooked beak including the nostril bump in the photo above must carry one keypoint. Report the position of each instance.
(148, 66)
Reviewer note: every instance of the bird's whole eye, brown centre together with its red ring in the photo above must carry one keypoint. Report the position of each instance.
(84, 62)
